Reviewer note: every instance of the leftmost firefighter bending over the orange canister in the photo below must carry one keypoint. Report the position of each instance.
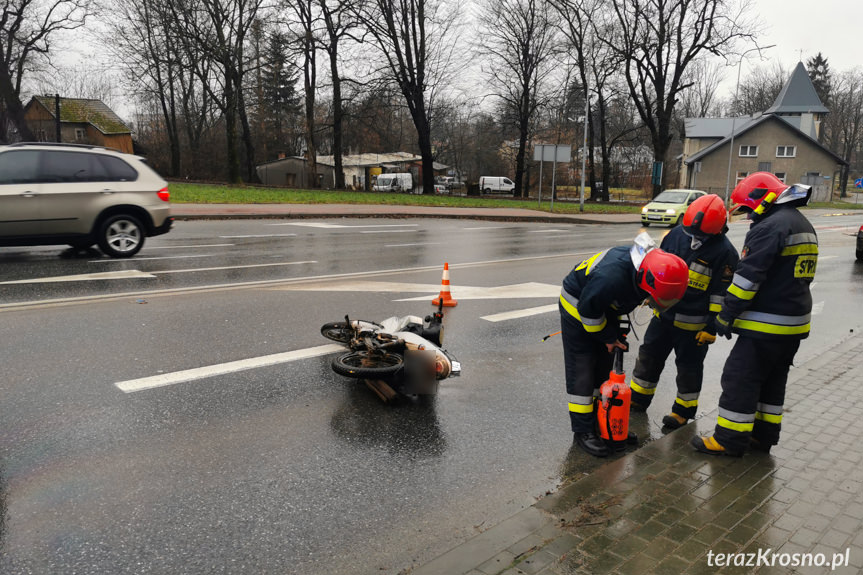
(594, 296)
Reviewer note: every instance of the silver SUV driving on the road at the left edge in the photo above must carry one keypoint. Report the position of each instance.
(80, 195)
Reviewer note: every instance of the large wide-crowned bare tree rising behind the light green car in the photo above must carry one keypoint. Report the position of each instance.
(658, 41)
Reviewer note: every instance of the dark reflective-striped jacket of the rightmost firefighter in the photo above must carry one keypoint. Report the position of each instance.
(769, 295)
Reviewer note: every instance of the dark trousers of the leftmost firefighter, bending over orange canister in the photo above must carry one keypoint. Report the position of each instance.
(587, 364)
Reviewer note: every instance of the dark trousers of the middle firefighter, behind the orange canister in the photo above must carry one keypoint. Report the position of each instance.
(660, 338)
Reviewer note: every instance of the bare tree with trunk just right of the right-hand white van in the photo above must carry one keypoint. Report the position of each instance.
(519, 39)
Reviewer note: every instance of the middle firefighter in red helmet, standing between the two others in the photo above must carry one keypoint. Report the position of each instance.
(689, 328)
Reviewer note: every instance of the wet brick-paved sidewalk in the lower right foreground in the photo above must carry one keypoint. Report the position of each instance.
(668, 509)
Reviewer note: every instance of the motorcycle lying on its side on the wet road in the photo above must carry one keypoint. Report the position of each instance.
(400, 356)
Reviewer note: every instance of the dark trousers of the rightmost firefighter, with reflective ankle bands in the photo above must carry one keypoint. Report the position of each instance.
(753, 391)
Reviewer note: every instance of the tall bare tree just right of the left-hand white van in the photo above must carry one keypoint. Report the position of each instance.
(413, 39)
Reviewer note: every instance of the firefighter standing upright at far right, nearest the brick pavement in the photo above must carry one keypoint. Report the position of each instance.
(768, 306)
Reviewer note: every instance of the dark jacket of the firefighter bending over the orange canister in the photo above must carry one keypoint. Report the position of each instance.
(600, 289)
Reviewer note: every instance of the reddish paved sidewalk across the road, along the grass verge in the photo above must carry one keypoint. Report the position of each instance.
(204, 211)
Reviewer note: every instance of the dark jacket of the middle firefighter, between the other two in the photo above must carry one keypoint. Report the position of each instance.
(711, 268)
